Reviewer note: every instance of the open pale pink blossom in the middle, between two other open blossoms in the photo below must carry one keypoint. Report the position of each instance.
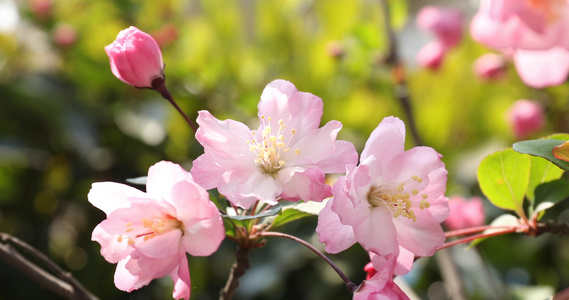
(285, 158)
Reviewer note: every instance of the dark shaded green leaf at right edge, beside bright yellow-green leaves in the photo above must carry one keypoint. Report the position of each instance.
(550, 193)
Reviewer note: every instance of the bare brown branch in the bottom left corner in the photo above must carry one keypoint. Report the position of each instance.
(61, 282)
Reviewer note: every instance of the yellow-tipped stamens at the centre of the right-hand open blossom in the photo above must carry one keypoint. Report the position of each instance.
(396, 198)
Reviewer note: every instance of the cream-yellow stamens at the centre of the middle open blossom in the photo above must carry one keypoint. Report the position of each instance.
(271, 147)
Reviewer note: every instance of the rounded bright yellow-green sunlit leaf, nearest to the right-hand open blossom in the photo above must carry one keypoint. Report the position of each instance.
(504, 178)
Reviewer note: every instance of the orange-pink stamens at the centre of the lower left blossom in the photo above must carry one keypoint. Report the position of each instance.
(149, 228)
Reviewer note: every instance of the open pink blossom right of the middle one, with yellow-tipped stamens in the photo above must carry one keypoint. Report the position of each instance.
(394, 199)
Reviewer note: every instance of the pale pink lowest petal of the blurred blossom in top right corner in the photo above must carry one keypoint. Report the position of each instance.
(539, 69)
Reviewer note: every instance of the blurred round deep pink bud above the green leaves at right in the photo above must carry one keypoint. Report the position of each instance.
(526, 117)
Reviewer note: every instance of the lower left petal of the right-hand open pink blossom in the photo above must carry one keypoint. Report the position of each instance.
(337, 236)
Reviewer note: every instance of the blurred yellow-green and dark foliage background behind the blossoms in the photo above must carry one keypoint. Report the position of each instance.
(66, 122)
